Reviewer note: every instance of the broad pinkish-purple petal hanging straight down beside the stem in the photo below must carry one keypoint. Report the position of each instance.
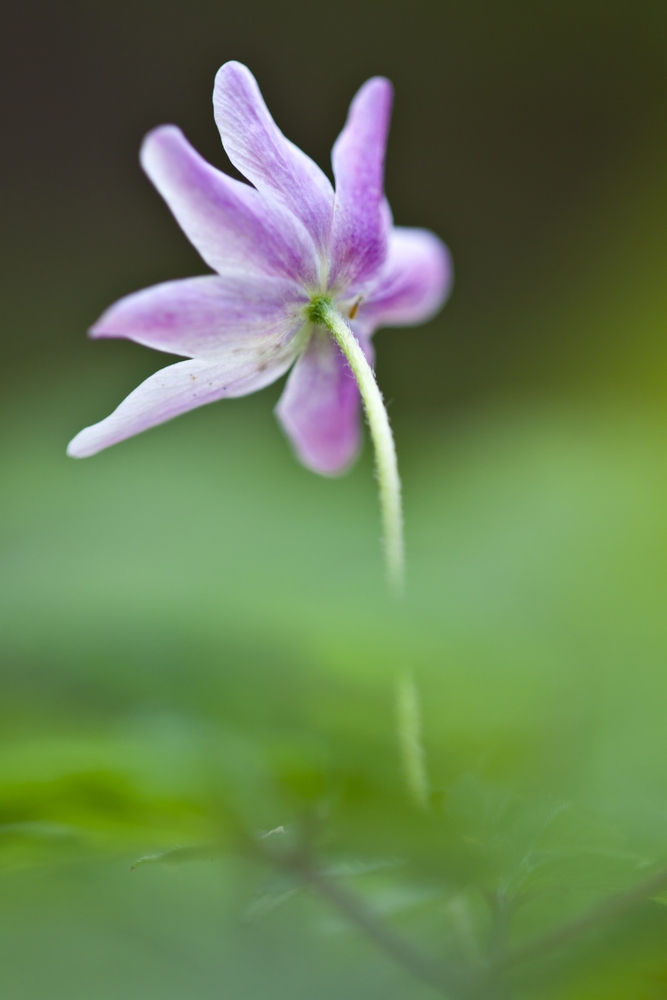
(320, 407)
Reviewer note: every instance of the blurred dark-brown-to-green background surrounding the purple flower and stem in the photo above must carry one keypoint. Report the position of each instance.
(192, 627)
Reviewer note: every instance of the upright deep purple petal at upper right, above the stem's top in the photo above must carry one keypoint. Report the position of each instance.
(359, 237)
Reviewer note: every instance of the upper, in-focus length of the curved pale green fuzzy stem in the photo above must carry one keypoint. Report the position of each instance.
(383, 439)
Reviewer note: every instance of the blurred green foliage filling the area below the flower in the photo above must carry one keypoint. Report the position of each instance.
(200, 665)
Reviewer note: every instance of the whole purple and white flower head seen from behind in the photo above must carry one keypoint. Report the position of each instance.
(276, 248)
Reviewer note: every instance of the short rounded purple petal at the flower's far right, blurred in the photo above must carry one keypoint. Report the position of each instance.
(414, 283)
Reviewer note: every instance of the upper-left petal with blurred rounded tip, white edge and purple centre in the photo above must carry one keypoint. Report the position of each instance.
(230, 224)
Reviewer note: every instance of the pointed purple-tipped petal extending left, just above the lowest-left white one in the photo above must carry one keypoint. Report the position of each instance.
(236, 315)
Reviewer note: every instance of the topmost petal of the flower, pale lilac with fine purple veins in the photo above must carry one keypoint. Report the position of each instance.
(258, 148)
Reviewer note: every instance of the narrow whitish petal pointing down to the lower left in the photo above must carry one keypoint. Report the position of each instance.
(177, 389)
